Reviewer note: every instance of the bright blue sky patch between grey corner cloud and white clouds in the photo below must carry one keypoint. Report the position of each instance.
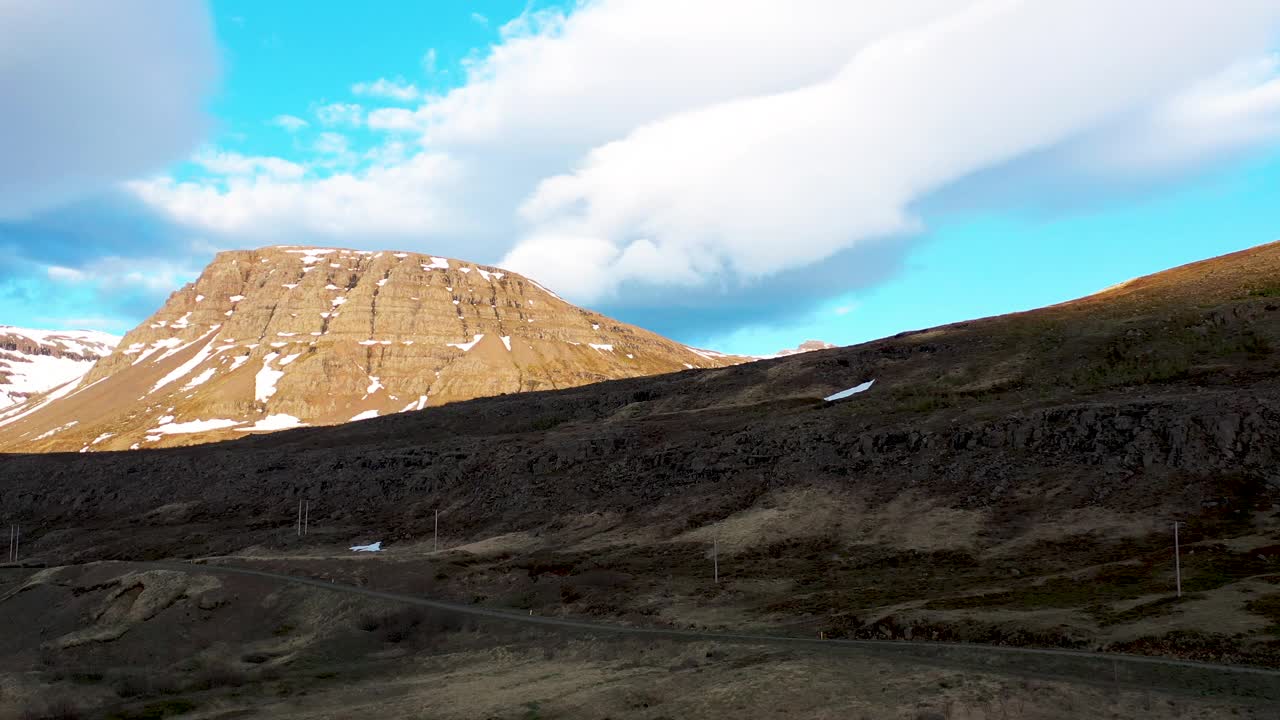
(290, 57)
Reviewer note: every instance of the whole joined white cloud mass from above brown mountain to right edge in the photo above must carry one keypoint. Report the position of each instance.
(623, 149)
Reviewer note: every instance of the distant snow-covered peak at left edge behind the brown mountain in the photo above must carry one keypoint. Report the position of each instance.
(36, 362)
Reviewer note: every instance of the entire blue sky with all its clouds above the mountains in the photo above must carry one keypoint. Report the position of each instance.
(734, 175)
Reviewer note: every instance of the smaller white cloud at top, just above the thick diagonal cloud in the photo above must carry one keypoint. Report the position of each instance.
(584, 79)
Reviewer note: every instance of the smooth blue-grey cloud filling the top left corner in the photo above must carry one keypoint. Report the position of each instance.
(97, 93)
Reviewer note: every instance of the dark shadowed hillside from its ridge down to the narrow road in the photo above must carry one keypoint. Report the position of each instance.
(1011, 480)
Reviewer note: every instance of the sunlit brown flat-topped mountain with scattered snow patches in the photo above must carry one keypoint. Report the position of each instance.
(294, 336)
